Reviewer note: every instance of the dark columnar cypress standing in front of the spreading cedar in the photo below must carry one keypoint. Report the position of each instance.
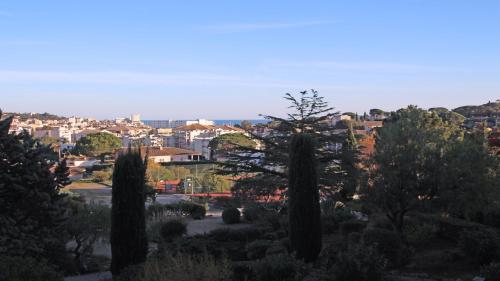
(303, 200)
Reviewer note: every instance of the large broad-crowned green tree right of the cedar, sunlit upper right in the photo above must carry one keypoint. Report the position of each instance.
(408, 160)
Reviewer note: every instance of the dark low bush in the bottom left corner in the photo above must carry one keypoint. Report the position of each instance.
(27, 269)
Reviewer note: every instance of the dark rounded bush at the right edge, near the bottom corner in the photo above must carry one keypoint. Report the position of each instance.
(479, 245)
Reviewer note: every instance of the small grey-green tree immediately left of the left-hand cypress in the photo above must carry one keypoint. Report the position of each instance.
(86, 224)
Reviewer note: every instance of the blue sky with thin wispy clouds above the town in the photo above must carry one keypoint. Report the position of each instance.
(236, 59)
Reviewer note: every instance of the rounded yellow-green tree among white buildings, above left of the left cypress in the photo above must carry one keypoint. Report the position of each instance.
(98, 145)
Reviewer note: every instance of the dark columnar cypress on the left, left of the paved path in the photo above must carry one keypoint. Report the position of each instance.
(128, 222)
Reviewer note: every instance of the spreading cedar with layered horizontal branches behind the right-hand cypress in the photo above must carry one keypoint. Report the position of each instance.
(265, 167)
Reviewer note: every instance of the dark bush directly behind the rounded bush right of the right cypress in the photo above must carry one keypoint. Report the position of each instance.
(388, 243)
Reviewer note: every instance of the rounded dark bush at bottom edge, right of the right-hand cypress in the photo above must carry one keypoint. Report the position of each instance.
(359, 263)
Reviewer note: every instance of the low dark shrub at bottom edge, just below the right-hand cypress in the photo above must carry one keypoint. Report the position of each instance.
(279, 267)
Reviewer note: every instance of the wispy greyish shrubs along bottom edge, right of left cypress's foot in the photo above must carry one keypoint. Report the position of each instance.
(181, 267)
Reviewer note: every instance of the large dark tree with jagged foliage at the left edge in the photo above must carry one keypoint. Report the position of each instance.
(32, 210)
